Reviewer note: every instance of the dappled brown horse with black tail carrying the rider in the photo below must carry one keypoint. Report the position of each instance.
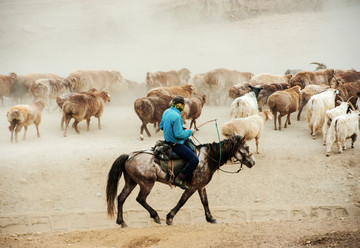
(140, 168)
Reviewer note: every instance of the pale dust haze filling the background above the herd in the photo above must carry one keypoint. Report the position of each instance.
(139, 36)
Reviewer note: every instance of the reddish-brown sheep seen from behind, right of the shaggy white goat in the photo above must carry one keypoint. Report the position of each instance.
(285, 102)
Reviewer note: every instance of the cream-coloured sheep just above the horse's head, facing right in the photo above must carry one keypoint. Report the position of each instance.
(249, 127)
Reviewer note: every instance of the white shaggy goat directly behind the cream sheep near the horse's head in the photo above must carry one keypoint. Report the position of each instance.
(245, 105)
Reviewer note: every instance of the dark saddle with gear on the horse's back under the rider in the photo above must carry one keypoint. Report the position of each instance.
(169, 161)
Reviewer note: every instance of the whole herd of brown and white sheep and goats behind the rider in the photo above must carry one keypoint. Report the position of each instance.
(331, 98)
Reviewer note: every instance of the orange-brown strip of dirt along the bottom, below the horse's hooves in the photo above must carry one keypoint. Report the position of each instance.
(331, 233)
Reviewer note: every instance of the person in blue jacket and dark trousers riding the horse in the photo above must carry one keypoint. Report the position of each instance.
(175, 135)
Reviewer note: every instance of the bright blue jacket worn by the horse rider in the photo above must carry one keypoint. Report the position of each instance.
(172, 125)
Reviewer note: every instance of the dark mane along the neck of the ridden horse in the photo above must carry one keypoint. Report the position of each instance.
(228, 150)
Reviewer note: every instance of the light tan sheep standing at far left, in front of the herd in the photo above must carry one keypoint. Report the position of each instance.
(24, 115)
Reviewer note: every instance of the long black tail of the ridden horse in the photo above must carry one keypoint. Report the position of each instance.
(113, 181)
